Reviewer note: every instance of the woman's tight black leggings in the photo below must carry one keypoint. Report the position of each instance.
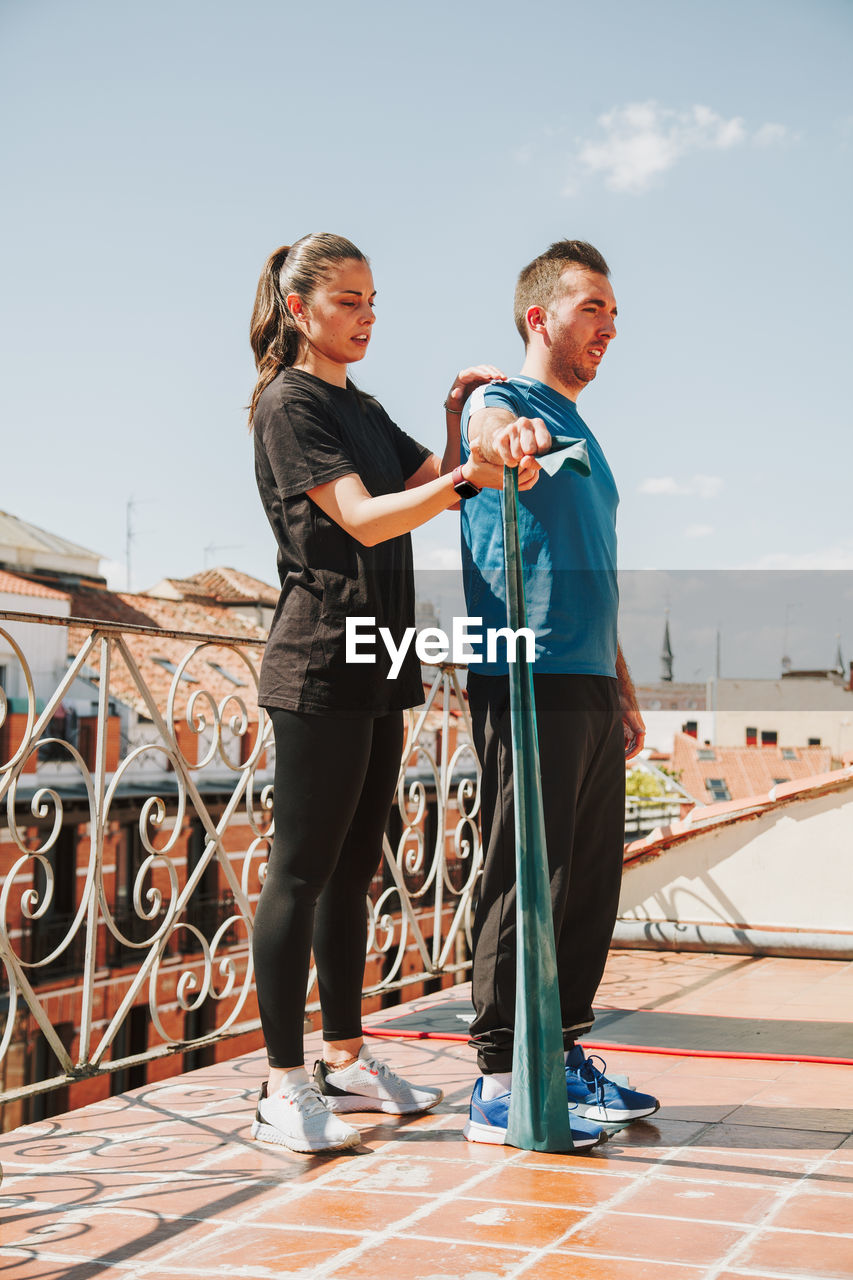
(335, 781)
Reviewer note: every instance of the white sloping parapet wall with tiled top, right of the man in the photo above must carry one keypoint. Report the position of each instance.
(774, 874)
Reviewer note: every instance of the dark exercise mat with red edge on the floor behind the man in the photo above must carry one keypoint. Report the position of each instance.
(653, 1030)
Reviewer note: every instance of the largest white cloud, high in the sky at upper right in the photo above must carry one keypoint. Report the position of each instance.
(644, 140)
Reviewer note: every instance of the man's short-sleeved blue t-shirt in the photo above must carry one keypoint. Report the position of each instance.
(568, 536)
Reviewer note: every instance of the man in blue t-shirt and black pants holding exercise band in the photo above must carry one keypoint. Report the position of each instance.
(587, 715)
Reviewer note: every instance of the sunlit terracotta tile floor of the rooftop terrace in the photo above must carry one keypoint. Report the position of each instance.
(746, 1172)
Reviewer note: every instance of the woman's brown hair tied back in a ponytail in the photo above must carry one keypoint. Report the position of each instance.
(291, 269)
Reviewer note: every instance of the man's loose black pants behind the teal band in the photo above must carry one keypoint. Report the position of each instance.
(582, 756)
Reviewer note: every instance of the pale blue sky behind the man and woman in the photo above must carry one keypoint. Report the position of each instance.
(153, 157)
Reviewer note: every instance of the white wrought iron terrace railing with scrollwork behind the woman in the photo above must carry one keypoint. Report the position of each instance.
(158, 939)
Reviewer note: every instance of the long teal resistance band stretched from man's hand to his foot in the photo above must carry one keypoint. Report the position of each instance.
(539, 1105)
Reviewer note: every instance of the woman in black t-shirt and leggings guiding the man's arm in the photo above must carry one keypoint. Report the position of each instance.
(343, 487)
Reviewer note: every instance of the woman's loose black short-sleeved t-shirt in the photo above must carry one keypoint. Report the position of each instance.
(308, 433)
